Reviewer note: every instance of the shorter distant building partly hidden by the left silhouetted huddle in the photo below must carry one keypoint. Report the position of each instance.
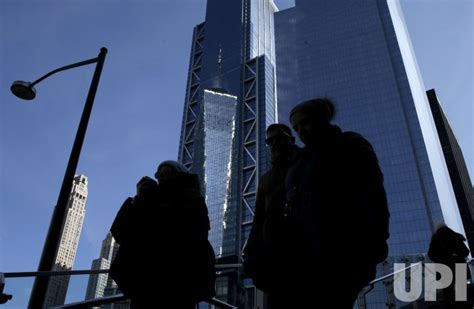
(97, 283)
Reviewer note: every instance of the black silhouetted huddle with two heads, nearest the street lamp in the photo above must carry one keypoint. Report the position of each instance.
(165, 259)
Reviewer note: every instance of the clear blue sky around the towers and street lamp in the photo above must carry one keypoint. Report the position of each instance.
(136, 119)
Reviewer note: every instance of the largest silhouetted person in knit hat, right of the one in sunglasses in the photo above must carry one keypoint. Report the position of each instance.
(338, 204)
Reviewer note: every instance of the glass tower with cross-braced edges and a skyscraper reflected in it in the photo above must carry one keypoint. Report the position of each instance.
(231, 74)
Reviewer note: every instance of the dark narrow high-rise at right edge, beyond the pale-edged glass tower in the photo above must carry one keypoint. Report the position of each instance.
(456, 166)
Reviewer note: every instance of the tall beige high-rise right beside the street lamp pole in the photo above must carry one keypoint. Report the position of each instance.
(71, 232)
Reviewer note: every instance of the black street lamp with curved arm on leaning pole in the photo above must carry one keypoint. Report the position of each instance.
(26, 91)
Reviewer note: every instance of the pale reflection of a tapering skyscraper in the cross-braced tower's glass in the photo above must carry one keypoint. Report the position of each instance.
(219, 111)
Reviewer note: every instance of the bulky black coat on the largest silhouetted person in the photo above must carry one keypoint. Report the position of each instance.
(338, 205)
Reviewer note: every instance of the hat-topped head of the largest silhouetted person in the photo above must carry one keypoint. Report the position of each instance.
(311, 119)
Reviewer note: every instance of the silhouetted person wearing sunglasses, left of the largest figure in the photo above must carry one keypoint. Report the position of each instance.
(267, 245)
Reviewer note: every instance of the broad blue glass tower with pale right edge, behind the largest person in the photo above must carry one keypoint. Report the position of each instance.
(358, 53)
